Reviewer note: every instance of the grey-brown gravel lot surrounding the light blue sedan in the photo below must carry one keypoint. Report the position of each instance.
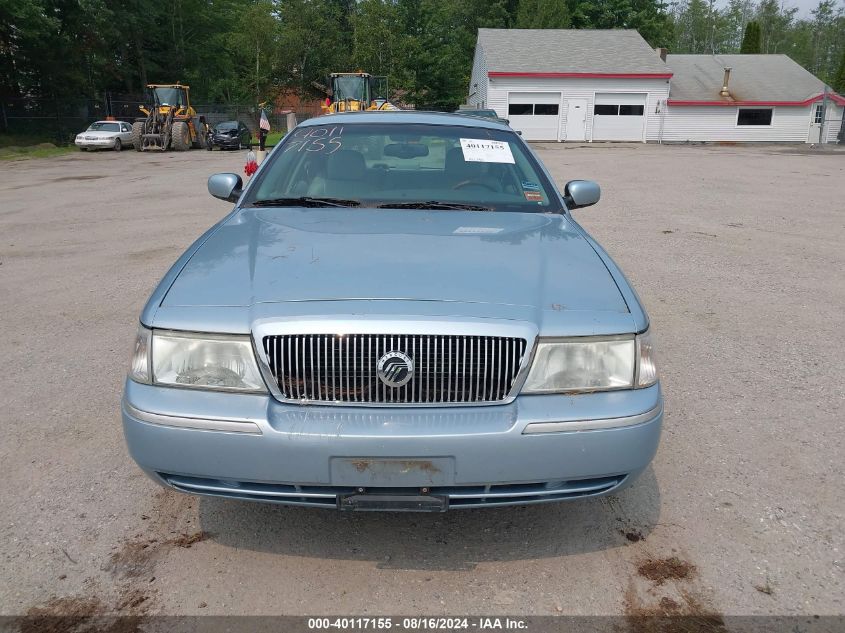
(737, 253)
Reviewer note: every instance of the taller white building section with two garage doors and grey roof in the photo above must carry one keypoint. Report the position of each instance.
(571, 85)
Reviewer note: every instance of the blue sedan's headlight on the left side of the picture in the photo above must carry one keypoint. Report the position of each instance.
(201, 361)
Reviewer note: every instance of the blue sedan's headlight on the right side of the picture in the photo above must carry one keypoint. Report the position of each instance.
(592, 364)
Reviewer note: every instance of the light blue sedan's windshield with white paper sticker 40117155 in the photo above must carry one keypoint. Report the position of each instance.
(404, 166)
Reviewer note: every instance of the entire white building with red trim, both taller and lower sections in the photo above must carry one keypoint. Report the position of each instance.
(609, 85)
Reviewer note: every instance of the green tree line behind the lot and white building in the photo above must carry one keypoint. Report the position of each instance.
(248, 51)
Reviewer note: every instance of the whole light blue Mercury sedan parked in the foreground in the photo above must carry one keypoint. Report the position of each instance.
(399, 313)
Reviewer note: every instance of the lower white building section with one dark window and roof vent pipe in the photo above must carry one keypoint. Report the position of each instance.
(747, 98)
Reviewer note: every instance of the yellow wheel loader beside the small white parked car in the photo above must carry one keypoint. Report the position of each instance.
(169, 121)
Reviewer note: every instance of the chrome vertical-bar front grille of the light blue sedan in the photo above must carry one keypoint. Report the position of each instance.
(344, 368)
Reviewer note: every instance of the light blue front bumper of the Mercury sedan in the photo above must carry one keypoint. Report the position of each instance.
(535, 449)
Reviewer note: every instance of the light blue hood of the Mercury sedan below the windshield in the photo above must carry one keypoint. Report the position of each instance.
(291, 254)
